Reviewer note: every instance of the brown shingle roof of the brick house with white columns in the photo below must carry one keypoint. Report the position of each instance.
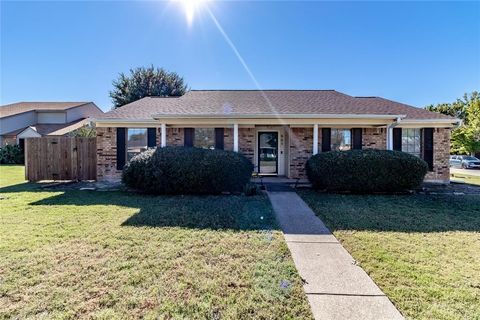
(267, 102)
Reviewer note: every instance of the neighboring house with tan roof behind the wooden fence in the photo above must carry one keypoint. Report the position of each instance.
(37, 119)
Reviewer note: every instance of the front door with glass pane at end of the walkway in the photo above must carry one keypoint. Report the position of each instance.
(268, 152)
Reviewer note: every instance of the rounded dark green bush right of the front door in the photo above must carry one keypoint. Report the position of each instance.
(366, 171)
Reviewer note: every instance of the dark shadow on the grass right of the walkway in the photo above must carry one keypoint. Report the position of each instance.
(396, 213)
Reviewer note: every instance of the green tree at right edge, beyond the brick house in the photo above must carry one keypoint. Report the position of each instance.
(466, 138)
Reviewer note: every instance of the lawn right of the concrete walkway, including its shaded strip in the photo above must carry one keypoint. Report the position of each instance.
(423, 251)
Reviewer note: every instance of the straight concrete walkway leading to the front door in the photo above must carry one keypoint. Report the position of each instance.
(335, 286)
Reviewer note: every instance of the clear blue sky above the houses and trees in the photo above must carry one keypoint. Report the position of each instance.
(418, 53)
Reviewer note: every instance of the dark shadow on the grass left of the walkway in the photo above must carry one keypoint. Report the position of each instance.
(196, 212)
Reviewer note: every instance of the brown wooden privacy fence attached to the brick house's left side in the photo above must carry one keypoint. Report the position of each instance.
(60, 158)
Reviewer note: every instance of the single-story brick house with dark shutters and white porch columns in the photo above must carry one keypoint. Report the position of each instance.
(278, 130)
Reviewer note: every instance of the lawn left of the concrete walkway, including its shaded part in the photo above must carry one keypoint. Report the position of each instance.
(107, 255)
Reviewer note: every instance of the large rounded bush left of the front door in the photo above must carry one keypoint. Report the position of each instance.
(179, 170)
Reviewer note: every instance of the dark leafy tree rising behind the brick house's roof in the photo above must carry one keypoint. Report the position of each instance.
(145, 82)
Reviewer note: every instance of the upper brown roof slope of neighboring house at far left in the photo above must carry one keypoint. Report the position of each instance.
(21, 107)
